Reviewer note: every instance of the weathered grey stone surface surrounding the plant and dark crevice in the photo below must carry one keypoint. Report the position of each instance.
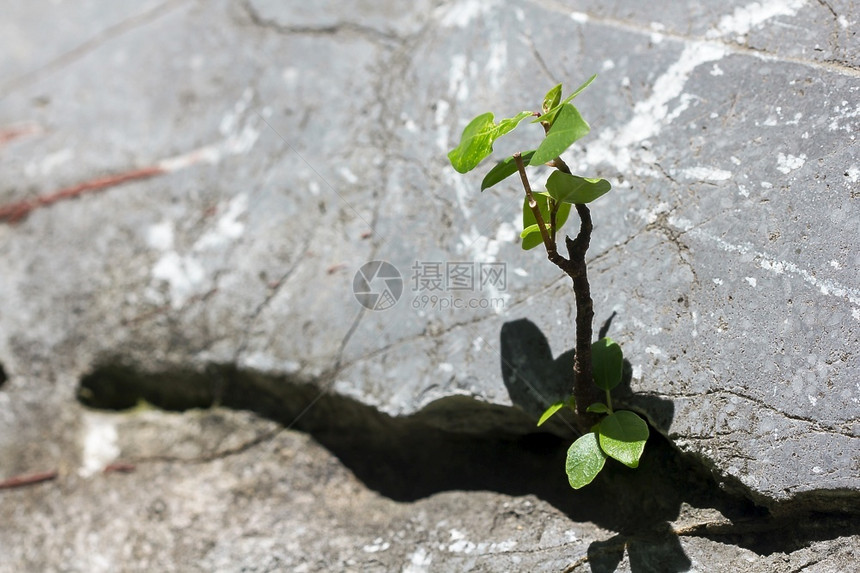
(292, 144)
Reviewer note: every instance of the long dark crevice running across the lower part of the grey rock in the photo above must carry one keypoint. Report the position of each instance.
(459, 443)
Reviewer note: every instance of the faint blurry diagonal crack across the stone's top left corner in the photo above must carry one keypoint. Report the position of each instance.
(110, 33)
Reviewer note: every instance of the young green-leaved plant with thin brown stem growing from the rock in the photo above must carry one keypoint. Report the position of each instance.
(621, 434)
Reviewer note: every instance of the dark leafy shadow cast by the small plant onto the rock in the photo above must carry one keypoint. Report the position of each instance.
(640, 503)
